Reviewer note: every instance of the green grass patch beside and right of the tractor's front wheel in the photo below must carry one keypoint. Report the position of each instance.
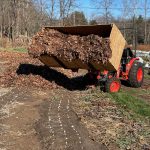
(131, 103)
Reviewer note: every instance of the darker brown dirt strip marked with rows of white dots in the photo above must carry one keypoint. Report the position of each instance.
(59, 127)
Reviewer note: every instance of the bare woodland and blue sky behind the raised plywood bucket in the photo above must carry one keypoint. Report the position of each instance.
(21, 19)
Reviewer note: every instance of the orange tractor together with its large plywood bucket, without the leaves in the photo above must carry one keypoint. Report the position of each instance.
(123, 65)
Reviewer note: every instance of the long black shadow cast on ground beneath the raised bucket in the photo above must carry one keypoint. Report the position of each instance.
(75, 83)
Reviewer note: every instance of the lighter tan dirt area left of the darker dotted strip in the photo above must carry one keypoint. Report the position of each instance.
(17, 117)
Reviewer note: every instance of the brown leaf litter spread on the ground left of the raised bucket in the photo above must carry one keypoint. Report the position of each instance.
(21, 70)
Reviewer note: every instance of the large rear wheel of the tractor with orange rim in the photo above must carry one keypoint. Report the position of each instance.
(136, 75)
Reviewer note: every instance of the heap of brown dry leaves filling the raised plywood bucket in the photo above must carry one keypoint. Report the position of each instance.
(71, 47)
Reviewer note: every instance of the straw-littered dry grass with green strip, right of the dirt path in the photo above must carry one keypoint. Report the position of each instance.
(119, 121)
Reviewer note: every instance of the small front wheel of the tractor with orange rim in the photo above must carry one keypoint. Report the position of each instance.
(112, 85)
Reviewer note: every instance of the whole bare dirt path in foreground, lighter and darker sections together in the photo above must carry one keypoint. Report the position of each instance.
(39, 120)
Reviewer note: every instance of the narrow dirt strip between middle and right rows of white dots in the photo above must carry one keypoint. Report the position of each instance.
(71, 135)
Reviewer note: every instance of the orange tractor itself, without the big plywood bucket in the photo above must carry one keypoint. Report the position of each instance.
(130, 70)
